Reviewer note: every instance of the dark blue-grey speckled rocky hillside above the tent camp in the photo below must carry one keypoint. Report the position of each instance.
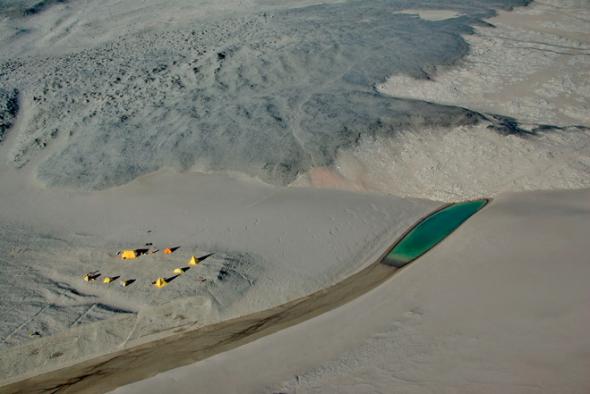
(268, 93)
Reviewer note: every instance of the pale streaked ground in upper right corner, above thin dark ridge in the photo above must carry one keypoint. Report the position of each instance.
(534, 65)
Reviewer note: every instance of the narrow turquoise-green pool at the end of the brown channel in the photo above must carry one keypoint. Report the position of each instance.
(431, 231)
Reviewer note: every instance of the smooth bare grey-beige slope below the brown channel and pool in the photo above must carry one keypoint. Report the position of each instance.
(501, 305)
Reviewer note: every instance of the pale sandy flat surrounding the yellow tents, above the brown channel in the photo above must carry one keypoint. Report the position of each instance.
(274, 245)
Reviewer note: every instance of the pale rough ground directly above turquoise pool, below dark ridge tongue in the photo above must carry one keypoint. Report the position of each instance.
(462, 162)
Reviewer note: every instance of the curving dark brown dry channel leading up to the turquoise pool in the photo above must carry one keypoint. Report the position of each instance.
(189, 344)
